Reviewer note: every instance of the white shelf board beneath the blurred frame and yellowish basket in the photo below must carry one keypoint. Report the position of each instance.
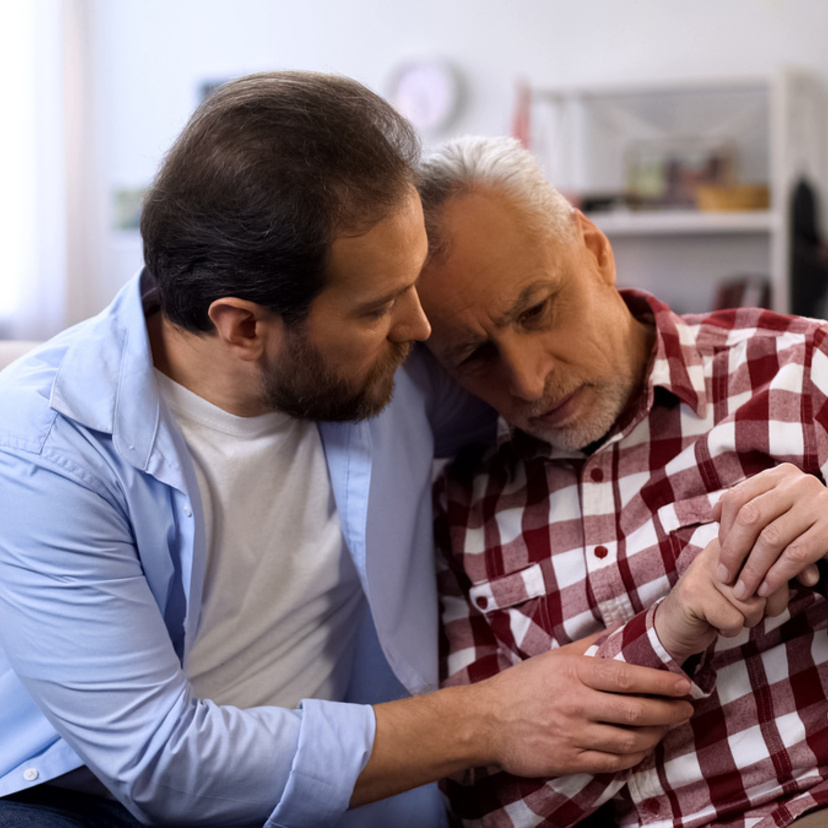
(685, 222)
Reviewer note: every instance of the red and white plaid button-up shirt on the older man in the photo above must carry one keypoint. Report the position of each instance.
(541, 547)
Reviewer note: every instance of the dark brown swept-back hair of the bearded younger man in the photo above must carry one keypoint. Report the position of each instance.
(267, 171)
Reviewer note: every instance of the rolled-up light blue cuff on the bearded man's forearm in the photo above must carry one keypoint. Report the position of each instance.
(335, 742)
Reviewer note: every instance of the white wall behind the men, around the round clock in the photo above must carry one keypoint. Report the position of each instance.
(147, 59)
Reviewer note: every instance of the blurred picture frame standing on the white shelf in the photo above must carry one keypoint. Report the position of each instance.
(667, 173)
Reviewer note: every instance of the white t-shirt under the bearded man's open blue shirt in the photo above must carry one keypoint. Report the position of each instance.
(282, 599)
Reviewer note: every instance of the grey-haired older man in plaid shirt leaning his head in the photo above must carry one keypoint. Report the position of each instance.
(624, 426)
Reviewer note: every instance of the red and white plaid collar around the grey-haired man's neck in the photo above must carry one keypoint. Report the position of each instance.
(675, 367)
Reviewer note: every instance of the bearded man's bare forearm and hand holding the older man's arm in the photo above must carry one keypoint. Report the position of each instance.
(555, 714)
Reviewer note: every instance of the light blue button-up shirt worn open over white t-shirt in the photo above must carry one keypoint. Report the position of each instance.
(101, 565)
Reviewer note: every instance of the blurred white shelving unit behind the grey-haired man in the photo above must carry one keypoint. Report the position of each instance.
(775, 128)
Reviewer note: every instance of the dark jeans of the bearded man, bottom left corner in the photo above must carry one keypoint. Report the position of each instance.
(45, 806)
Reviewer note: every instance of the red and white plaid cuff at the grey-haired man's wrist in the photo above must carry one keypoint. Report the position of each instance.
(636, 642)
